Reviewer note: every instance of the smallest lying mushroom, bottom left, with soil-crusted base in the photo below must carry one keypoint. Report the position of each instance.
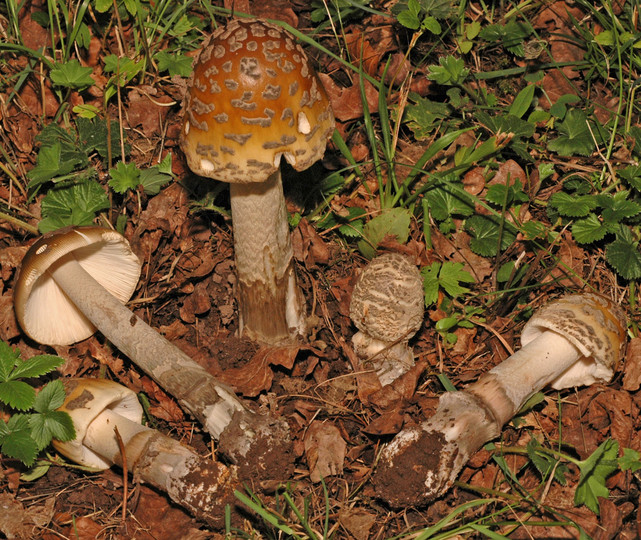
(103, 411)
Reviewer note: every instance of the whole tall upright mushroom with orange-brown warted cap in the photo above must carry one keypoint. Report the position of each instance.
(254, 98)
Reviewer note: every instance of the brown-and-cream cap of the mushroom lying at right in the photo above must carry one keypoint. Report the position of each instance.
(595, 325)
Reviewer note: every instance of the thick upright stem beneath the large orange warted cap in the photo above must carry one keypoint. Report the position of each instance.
(270, 302)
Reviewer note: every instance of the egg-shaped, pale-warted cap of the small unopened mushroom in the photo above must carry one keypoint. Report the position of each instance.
(388, 299)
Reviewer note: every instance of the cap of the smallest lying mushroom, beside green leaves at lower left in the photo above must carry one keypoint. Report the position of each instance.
(86, 399)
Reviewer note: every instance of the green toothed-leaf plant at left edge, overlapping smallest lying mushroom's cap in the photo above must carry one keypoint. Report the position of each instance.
(34, 420)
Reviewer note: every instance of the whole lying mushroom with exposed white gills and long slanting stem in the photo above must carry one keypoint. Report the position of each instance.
(59, 299)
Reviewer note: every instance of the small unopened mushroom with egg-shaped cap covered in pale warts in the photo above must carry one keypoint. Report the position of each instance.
(387, 308)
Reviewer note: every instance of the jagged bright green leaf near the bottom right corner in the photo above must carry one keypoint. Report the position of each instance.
(594, 472)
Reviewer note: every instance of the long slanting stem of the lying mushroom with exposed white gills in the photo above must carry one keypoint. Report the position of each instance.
(210, 401)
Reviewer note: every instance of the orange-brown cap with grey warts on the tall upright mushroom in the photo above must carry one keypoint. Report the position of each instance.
(253, 98)
